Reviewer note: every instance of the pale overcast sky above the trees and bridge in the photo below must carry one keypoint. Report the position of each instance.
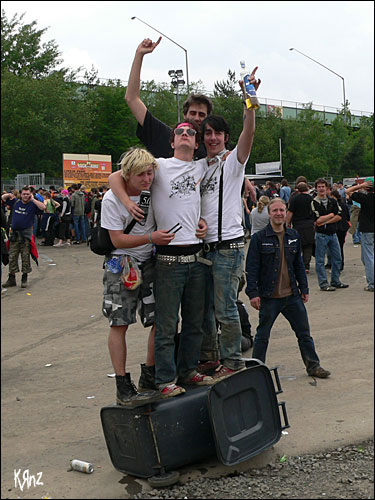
(217, 35)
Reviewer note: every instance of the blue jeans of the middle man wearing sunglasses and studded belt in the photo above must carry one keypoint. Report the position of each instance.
(178, 285)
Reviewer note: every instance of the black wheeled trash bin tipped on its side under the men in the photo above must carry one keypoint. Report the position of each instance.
(236, 419)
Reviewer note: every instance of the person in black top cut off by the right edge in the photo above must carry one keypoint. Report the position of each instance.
(364, 194)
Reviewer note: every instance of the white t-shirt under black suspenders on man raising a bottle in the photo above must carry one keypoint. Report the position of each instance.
(234, 172)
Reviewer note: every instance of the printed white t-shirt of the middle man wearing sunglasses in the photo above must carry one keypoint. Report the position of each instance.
(175, 197)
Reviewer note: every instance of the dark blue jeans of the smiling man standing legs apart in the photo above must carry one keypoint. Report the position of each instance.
(294, 310)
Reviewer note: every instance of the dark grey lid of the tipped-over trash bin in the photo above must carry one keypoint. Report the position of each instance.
(244, 414)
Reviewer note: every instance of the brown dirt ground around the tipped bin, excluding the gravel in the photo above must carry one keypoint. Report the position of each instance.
(55, 367)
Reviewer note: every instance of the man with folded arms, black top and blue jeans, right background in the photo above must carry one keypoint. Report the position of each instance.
(326, 212)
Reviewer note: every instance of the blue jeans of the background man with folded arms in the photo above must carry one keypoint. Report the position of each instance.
(324, 242)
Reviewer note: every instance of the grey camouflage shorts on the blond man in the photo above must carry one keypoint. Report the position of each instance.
(120, 305)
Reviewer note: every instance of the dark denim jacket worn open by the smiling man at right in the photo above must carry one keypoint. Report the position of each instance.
(263, 263)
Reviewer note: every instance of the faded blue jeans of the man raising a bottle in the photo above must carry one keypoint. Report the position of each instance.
(223, 279)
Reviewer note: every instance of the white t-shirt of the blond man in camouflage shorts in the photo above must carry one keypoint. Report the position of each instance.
(115, 216)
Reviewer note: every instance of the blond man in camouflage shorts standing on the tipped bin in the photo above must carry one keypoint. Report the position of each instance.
(122, 298)
